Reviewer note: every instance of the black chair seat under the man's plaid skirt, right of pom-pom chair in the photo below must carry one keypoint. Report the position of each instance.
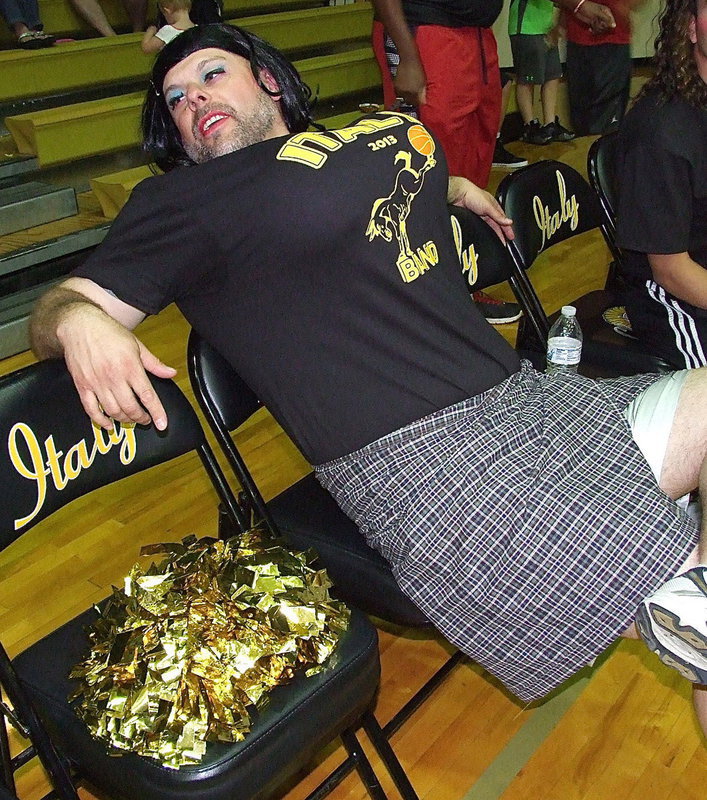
(309, 517)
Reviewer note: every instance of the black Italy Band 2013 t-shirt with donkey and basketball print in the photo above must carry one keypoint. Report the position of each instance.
(323, 267)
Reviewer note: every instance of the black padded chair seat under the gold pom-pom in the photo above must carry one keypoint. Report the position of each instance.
(298, 720)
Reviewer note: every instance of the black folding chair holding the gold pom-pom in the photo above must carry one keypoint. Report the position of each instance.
(39, 412)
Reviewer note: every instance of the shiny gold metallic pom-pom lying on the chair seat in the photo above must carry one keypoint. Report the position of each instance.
(185, 652)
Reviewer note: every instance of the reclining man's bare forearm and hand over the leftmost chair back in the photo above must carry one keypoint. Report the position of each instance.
(91, 329)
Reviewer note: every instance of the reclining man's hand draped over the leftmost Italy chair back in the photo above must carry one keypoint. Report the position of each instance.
(108, 365)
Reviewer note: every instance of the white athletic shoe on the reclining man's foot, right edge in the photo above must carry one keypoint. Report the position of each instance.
(673, 623)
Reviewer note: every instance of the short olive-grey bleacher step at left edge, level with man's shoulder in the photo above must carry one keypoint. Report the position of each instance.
(34, 203)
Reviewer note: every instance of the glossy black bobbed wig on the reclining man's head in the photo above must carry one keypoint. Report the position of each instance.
(161, 138)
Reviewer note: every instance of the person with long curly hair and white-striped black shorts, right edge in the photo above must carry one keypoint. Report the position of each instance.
(661, 172)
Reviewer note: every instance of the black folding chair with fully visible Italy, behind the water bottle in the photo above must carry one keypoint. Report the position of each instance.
(551, 202)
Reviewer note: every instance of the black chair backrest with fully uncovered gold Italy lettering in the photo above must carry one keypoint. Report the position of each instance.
(549, 202)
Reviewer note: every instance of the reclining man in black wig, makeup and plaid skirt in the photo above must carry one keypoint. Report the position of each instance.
(531, 519)
